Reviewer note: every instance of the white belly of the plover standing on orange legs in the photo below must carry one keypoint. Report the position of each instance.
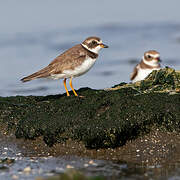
(78, 71)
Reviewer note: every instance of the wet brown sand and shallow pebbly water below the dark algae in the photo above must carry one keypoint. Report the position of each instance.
(152, 156)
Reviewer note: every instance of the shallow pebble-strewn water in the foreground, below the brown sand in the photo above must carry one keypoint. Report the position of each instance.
(32, 167)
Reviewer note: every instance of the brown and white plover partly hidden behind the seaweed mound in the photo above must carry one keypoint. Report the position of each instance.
(150, 61)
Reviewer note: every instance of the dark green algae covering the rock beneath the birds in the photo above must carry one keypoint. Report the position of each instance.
(103, 118)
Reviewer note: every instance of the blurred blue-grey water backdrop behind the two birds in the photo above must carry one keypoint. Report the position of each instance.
(33, 33)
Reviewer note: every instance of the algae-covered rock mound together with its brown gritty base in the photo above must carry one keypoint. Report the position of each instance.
(122, 118)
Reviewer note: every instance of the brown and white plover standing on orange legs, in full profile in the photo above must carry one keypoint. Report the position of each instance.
(72, 63)
